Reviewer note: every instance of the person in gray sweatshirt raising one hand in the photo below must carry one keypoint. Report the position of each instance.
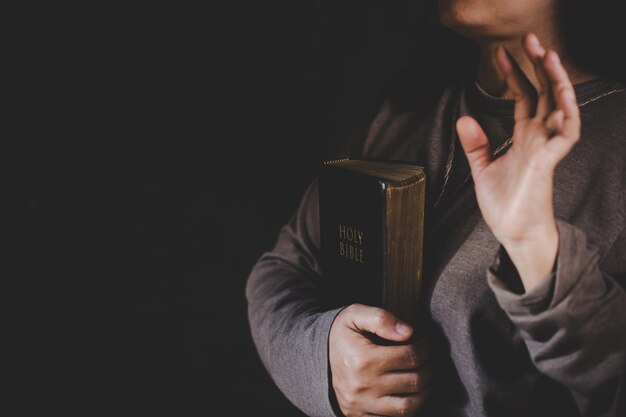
(525, 241)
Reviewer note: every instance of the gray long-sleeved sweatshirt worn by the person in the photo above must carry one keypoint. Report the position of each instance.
(558, 350)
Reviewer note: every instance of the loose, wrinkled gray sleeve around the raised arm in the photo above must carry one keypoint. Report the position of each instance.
(574, 323)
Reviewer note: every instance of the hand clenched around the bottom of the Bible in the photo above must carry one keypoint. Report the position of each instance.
(373, 379)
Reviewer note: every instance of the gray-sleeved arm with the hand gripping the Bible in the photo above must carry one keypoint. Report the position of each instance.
(304, 347)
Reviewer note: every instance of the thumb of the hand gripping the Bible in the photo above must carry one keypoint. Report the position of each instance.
(380, 322)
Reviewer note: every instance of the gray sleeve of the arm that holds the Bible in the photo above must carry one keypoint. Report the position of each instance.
(288, 322)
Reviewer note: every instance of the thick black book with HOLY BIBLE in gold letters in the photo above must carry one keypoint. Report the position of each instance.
(371, 226)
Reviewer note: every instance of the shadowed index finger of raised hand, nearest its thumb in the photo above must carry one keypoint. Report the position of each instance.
(522, 90)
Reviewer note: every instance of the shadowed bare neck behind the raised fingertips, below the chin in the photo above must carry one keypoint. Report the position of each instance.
(490, 78)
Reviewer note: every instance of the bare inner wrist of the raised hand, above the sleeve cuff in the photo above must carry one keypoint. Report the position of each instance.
(534, 257)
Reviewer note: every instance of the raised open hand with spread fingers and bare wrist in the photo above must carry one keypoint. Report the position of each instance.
(514, 192)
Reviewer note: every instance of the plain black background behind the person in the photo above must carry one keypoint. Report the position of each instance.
(158, 151)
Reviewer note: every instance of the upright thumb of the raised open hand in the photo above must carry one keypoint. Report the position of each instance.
(475, 144)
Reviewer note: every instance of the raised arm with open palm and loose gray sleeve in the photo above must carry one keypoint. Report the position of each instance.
(571, 314)
